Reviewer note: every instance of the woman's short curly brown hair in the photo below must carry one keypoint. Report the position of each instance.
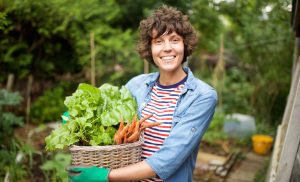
(166, 19)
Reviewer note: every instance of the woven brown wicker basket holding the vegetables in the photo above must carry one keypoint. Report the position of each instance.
(110, 156)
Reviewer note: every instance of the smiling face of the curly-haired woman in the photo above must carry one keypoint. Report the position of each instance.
(167, 51)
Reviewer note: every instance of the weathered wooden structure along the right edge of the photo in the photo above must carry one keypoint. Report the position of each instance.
(285, 161)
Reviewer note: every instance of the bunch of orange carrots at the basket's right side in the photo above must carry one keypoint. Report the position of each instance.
(131, 132)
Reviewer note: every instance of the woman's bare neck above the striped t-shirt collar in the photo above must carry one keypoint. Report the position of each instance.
(171, 78)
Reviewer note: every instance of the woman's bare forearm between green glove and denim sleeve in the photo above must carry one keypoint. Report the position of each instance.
(136, 171)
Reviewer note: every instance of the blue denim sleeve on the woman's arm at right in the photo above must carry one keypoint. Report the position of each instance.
(185, 136)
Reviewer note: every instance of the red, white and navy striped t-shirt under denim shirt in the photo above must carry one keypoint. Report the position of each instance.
(162, 105)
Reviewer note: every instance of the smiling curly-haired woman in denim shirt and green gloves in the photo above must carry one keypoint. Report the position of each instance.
(184, 104)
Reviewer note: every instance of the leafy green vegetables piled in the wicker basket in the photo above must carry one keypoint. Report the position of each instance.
(94, 116)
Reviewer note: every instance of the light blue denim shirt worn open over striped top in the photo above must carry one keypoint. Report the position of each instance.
(175, 161)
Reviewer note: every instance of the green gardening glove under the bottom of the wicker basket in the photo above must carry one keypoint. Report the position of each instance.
(90, 174)
